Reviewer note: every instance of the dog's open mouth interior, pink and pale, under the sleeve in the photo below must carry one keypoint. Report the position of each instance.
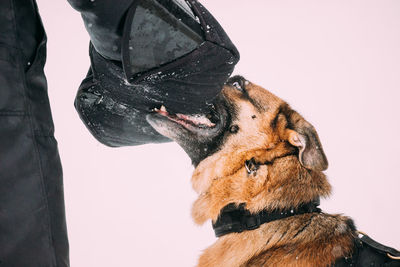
(200, 121)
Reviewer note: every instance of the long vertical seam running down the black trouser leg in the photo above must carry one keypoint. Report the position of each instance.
(31, 126)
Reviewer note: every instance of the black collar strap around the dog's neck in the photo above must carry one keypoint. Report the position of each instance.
(236, 219)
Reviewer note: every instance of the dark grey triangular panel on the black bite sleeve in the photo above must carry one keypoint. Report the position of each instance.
(157, 32)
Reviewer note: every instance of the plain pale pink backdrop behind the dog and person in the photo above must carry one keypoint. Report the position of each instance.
(336, 62)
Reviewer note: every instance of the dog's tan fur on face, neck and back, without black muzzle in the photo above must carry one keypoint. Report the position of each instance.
(291, 158)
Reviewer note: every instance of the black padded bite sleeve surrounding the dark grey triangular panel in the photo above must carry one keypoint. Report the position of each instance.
(114, 109)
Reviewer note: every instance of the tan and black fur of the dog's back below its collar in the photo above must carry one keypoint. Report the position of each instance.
(314, 239)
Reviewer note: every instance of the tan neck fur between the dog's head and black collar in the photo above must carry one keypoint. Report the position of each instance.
(274, 186)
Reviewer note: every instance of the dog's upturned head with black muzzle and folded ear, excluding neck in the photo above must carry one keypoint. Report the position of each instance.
(247, 119)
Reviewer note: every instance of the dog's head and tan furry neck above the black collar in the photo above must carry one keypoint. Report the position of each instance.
(248, 126)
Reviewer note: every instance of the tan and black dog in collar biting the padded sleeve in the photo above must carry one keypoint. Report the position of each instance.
(259, 177)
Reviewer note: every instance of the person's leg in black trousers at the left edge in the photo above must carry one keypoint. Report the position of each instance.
(32, 216)
